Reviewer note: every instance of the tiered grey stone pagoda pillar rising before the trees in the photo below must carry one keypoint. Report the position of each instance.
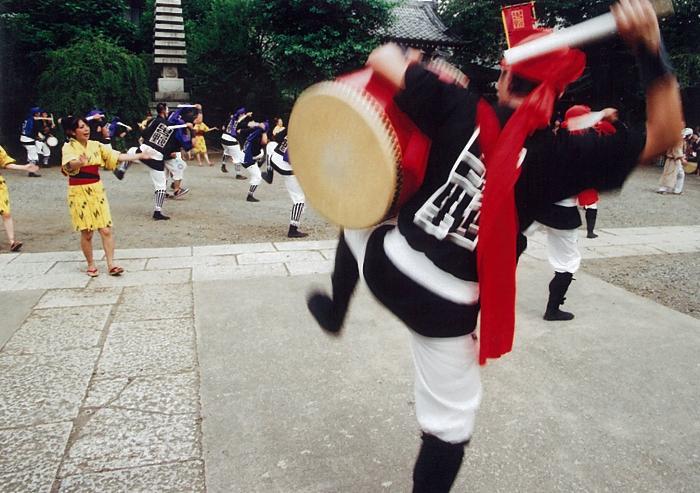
(170, 52)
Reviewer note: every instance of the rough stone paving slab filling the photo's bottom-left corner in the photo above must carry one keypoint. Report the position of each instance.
(31, 456)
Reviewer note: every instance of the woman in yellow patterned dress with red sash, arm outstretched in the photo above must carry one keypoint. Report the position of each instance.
(87, 201)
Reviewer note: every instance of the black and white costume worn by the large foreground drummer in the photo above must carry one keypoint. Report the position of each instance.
(423, 268)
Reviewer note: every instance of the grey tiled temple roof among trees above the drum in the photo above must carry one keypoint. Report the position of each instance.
(417, 24)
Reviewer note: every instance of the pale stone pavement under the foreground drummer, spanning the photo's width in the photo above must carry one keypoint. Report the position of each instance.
(200, 370)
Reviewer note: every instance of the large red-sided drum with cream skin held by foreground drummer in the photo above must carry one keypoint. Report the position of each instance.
(357, 157)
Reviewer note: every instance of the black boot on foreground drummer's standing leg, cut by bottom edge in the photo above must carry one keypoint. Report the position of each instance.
(437, 465)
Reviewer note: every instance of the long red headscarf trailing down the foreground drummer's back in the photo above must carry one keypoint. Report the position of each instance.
(498, 223)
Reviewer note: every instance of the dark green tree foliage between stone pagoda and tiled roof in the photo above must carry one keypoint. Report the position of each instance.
(261, 54)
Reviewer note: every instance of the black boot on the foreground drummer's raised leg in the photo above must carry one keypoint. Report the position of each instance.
(330, 312)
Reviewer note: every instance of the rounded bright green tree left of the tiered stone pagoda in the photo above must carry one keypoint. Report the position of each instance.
(95, 72)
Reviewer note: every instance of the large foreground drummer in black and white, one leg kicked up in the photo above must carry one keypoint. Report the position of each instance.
(424, 269)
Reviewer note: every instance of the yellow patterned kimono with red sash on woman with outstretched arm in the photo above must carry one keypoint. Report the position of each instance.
(87, 201)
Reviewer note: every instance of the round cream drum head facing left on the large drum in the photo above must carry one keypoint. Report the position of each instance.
(345, 154)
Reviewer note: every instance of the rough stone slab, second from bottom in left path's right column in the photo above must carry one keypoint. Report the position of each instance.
(121, 438)
